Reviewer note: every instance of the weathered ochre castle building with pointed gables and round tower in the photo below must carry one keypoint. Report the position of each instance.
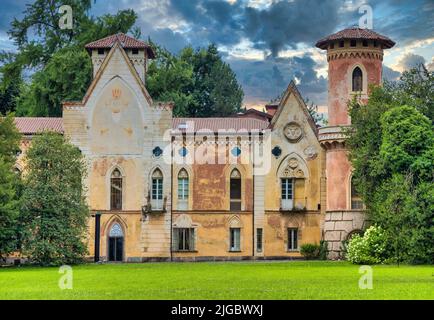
(252, 186)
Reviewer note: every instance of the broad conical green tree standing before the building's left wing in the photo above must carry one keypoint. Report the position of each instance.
(54, 211)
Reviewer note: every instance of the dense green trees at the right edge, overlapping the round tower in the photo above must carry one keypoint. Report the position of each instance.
(392, 151)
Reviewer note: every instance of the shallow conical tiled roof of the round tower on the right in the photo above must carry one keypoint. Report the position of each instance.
(355, 33)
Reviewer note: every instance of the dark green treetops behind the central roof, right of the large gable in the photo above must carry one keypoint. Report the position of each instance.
(198, 81)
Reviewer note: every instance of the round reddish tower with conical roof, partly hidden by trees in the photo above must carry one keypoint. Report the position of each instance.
(355, 59)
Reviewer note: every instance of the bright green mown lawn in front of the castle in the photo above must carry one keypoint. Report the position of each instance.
(235, 280)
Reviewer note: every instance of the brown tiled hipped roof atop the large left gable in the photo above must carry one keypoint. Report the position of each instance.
(125, 41)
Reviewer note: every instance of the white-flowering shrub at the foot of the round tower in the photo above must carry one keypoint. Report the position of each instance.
(369, 248)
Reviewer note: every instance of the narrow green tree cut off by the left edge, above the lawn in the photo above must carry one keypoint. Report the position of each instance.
(9, 187)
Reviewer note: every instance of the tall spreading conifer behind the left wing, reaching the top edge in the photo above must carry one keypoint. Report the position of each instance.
(41, 21)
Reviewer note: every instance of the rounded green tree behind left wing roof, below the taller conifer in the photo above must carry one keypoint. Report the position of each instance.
(66, 77)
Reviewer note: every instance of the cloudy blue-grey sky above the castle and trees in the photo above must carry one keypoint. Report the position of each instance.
(268, 43)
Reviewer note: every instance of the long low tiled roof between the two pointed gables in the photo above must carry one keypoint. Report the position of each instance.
(216, 124)
